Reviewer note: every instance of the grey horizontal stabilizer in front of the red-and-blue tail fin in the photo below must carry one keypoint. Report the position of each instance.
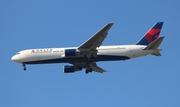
(155, 44)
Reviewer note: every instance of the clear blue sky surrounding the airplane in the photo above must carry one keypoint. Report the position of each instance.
(142, 82)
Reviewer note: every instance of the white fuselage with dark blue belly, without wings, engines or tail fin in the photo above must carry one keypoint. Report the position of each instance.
(57, 55)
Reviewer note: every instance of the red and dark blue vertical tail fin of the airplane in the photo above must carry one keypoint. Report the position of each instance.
(151, 35)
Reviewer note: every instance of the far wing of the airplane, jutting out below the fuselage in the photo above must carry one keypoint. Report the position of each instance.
(93, 66)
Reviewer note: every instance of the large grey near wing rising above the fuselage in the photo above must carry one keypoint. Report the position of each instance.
(97, 39)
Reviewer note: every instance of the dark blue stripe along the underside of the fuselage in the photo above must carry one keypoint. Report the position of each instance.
(80, 59)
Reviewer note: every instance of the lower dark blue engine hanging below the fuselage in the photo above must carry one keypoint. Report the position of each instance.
(71, 69)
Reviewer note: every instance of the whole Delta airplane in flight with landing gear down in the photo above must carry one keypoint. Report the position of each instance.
(87, 54)
